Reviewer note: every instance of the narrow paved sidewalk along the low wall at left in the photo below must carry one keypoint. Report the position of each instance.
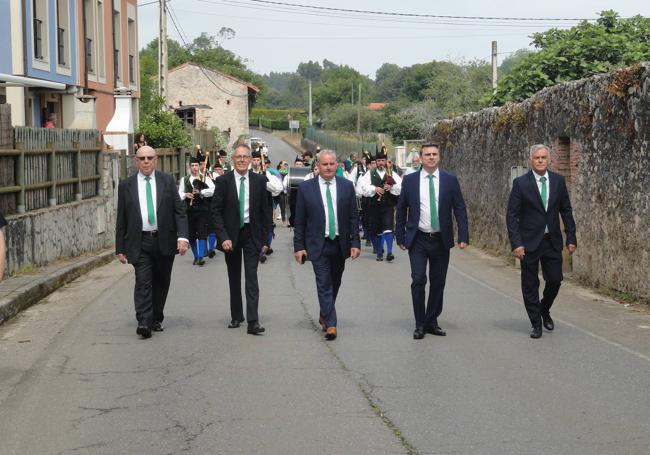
(20, 292)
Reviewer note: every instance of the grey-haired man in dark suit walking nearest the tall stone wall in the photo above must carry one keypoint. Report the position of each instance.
(537, 201)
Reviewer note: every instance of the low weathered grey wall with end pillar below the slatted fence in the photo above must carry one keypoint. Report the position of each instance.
(39, 237)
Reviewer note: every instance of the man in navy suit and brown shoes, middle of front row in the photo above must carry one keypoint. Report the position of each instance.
(326, 229)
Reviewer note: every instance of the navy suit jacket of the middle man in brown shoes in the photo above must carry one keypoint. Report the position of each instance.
(309, 222)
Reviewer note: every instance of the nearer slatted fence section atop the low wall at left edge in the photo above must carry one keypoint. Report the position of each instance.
(47, 167)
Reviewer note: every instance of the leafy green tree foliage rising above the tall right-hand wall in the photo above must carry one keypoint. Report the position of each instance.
(575, 53)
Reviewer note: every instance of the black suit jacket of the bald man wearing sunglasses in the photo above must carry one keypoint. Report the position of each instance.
(170, 216)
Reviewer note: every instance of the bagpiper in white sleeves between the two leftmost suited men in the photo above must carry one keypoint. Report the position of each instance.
(194, 189)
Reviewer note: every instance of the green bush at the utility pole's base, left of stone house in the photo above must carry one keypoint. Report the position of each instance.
(164, 129)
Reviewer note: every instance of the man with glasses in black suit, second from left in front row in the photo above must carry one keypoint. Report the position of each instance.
(242, 215)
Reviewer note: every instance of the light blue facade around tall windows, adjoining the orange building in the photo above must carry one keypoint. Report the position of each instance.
(52, 75)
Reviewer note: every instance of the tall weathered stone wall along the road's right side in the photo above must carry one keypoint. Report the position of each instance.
(599, 130)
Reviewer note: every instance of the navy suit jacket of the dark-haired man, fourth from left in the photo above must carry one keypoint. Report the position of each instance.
(450, 199)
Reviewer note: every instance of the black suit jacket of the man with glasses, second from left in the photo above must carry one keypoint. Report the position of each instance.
(225, 209)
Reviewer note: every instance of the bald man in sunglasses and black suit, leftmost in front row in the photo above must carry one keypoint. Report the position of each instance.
(151, 227)
